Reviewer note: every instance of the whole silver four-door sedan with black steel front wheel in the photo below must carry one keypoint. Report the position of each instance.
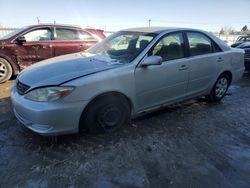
(131, 72)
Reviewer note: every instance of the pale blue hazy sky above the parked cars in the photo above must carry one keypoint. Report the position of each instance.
(209, 15)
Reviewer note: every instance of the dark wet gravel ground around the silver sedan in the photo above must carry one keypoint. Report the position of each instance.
(192, 144)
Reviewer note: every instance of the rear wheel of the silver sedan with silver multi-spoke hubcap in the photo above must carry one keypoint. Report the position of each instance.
(219, 89)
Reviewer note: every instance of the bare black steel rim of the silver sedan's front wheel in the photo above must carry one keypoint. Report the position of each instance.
(109, 117)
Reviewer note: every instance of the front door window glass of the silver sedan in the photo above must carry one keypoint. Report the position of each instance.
(170, 47)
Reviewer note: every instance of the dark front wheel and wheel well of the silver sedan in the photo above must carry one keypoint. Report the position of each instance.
(106, 114)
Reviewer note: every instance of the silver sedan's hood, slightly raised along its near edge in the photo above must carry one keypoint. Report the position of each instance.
(58, 70)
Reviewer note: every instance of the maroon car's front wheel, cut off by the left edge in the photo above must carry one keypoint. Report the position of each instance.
(5, 70)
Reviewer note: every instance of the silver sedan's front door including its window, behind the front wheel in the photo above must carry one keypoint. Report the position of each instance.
(158, 84)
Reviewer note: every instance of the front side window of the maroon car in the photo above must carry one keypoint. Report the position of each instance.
(38, 35)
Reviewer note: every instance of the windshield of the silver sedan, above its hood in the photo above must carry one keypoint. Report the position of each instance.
(123, 46)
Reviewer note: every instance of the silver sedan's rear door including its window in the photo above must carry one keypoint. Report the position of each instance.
(205, 57)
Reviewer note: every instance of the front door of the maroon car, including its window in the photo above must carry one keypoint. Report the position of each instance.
(37, 47)
